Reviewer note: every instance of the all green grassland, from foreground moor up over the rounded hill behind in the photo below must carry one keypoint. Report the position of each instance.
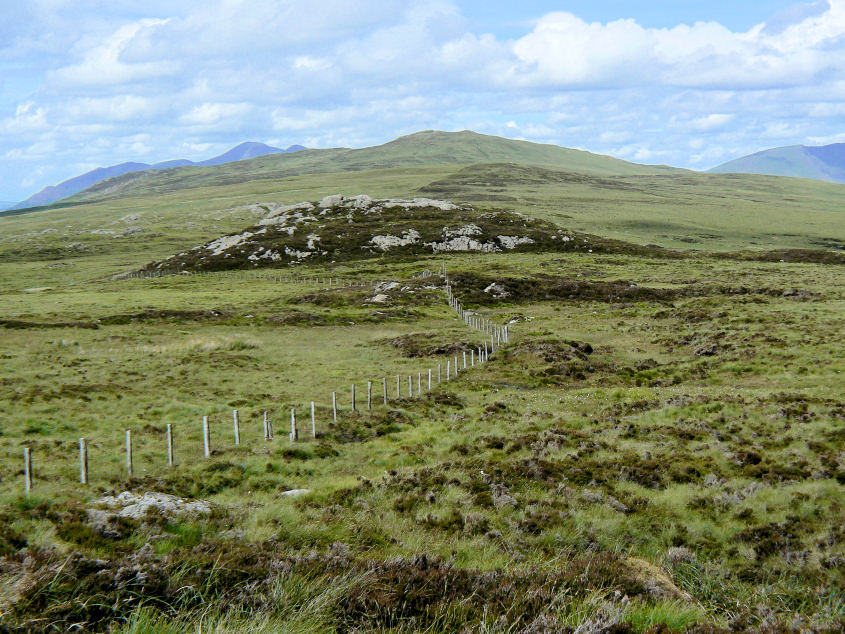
(660, 445)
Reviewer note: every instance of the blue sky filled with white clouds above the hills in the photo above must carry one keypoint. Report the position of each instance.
(90, 83)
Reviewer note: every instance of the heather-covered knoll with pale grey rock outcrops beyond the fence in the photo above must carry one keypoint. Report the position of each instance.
(339, 228)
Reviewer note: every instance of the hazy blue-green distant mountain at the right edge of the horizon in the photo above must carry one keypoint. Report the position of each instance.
(824, 163)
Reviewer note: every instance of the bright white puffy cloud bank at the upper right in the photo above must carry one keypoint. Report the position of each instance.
(564, 50)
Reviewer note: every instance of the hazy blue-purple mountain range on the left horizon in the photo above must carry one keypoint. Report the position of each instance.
(77, 184)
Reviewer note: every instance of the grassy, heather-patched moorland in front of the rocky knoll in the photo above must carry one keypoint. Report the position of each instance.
(618, 456)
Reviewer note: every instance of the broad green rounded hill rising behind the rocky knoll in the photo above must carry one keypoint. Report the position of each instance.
(145, 217)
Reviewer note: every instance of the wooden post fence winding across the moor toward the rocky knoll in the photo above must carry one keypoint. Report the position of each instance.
(498, 336)
